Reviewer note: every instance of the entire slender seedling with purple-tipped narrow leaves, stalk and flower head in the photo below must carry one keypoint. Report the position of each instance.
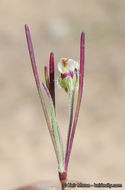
(71, 80)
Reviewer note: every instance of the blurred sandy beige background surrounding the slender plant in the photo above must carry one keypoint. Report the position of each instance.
(26, 152)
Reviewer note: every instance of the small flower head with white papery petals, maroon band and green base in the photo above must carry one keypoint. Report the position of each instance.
(69, 75)
